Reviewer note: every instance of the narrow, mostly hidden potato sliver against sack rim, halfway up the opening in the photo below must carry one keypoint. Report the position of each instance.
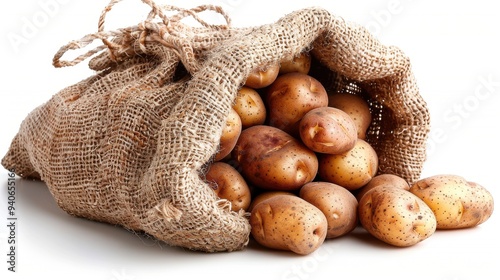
(230, 134)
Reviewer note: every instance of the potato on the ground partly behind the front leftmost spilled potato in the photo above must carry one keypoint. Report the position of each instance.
(337, 203)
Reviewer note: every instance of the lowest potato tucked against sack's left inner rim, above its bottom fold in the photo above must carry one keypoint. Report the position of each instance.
(228, 183)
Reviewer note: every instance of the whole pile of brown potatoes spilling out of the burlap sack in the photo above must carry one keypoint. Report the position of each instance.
(294, 156)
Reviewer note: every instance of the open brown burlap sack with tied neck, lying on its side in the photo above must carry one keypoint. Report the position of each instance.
(128, 145)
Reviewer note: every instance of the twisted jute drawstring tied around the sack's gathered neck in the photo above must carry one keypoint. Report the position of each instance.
(169, 32)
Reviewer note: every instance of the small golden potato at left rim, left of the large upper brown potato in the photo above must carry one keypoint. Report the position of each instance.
(250, 107)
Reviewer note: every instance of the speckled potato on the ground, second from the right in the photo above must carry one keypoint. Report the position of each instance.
(396, 216)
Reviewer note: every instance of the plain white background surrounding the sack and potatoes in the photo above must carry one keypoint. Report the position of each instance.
(454, 52)
